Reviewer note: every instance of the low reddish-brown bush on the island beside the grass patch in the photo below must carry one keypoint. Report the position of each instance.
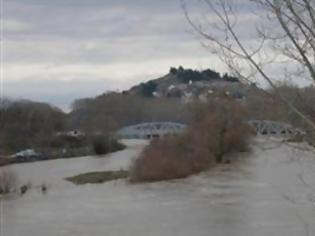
(169, 158)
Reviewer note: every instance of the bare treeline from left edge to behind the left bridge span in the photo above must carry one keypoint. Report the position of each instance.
(26, 124)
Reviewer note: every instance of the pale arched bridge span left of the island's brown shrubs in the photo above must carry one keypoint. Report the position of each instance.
(150, 130)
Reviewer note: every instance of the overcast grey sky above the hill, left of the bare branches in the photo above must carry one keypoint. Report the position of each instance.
(59, 50)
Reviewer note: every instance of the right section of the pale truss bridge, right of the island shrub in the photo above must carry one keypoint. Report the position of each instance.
(274, 128)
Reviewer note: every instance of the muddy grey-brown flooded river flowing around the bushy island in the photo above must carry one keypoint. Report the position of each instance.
(269, 192)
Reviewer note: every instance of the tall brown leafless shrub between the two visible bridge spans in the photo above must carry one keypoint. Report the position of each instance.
(220, 127)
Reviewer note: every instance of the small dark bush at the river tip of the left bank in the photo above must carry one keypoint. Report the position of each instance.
(103, 144)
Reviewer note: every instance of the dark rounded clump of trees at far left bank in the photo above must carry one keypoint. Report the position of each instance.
(26, 124)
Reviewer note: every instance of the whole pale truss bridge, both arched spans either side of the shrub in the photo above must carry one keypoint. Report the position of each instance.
(151, 130)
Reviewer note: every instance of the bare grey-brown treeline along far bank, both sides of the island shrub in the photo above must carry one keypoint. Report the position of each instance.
(26, 124)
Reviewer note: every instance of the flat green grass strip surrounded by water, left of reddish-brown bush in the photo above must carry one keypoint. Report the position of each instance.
(98, 177)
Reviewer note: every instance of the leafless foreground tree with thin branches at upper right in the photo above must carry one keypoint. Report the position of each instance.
(284, 38)
